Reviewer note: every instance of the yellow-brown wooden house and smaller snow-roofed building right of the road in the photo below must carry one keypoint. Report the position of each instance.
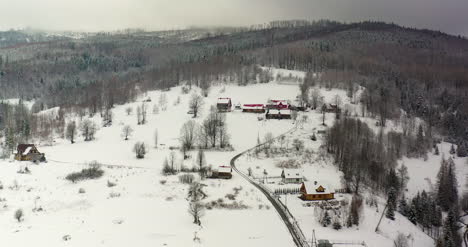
(310, 191)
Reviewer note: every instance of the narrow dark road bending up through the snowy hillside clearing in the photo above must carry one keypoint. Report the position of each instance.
(293, 228)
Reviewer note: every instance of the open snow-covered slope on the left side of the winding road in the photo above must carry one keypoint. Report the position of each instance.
(140, 209)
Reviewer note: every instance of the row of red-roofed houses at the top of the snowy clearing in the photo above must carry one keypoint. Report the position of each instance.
(273, 109)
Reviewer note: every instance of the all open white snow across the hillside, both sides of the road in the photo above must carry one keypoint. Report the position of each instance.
(145, 208)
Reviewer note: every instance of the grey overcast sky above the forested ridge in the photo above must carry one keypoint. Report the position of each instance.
(105, 15)
